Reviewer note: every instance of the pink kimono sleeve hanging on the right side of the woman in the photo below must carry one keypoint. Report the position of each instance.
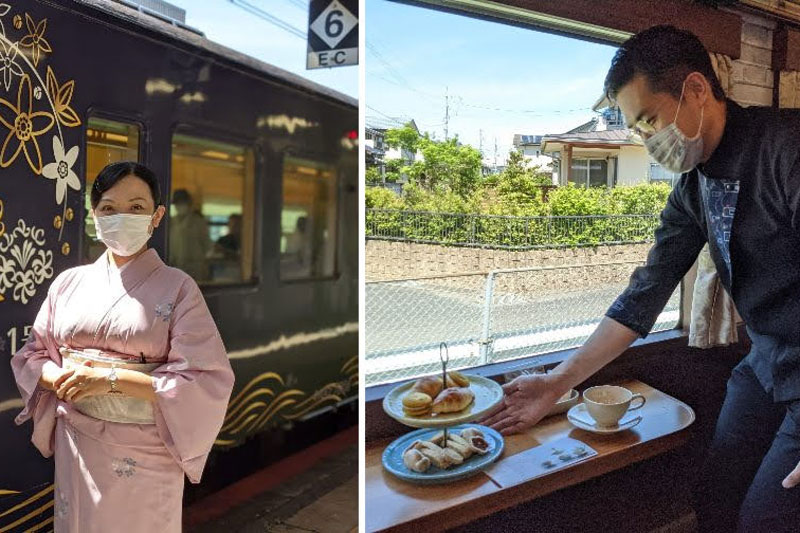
(194, 385)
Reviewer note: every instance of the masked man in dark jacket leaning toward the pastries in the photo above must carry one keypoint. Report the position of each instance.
(740, 192)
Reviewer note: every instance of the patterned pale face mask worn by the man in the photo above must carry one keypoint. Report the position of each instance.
(672, 149)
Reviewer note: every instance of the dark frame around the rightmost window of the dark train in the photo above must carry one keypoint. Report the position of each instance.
(323, 158)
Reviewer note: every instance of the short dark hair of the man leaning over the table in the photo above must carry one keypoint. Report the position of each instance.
(665, 55)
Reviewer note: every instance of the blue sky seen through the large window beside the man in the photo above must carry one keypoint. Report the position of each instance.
(501, 79)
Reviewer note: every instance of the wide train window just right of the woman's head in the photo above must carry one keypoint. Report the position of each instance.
(211, 212)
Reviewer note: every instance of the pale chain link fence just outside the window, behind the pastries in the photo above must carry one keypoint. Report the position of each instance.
(486, 318)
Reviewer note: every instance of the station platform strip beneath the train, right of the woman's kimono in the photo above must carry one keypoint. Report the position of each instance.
(315, 490)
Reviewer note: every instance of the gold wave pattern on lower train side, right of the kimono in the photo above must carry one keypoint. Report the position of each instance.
(266, 400)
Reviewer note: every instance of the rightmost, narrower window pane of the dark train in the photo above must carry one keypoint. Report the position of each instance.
(308, 220)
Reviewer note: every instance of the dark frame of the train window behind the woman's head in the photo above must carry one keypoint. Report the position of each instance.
(142, 156)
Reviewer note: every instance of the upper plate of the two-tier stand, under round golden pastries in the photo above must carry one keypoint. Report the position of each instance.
(488, 393)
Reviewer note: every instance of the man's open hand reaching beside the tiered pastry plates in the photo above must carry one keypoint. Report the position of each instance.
(527, 400)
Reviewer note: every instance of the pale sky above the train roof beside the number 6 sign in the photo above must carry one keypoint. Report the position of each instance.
(232, 26)
